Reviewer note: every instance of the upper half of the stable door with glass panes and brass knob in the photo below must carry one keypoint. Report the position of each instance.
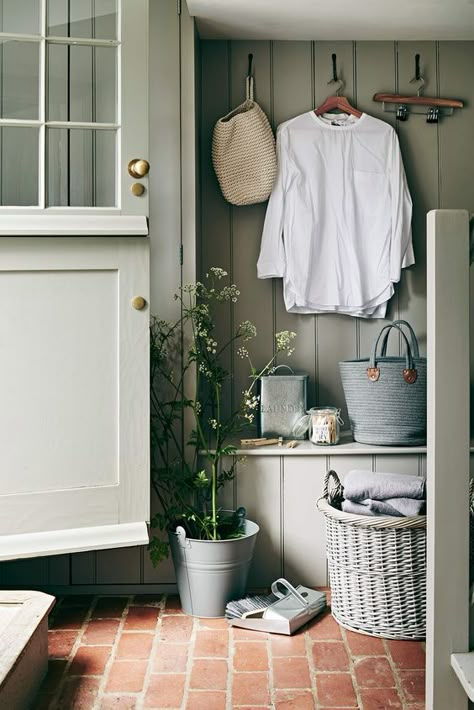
(73, 109)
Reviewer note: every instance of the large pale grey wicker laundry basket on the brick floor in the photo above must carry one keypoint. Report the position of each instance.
(377, 569)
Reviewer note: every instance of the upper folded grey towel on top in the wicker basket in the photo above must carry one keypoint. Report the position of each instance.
(359, 485)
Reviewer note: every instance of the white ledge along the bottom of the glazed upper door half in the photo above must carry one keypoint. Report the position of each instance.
(73, 225)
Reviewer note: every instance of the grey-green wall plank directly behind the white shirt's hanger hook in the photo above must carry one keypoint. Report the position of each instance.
(336, 334)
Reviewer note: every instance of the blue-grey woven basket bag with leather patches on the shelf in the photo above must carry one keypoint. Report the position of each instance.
(386, 395)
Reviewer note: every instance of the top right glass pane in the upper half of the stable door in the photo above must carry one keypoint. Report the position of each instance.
(82, 18)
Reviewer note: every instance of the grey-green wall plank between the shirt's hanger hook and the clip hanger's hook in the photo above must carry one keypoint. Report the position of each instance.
(375, 72)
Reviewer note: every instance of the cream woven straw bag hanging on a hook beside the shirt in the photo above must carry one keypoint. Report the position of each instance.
(243, 153)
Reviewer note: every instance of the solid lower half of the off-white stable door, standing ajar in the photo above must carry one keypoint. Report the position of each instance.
(74, 418)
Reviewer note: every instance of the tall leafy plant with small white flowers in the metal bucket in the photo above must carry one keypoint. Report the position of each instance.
(194, 499)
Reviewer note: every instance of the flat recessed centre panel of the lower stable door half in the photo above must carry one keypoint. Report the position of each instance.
(59, 341)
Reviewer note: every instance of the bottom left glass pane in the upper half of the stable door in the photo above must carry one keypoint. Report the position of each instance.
(18, 166)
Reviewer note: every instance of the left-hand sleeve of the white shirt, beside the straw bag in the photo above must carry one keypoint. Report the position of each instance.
(272, 261)
